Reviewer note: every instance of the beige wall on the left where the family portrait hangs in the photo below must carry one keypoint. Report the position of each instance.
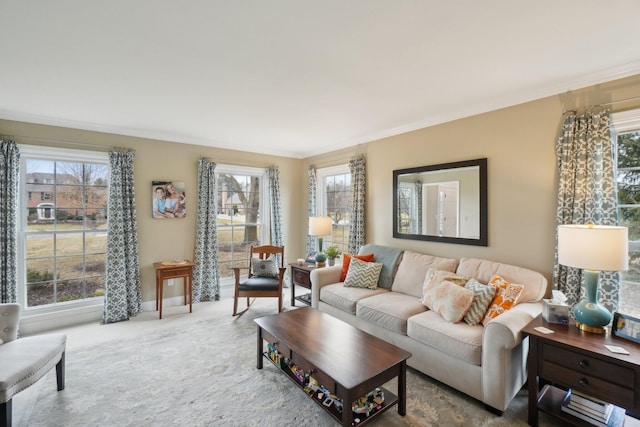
(160, 160)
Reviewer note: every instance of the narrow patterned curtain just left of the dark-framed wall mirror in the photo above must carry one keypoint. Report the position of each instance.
(356, 212)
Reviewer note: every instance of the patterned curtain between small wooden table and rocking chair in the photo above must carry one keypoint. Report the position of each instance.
(206, 274)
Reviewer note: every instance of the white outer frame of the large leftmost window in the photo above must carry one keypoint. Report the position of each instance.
(30, 152)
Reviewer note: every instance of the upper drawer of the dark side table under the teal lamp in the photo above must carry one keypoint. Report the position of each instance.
(590, 366)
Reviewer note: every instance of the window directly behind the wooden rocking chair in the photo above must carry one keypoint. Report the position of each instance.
(242, 220)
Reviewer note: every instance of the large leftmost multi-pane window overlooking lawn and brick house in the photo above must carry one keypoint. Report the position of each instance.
(63, 233)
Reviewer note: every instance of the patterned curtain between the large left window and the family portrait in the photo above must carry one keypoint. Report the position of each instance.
(123, 293)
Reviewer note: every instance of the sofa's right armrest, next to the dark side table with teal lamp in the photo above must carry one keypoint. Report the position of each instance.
(504, 354)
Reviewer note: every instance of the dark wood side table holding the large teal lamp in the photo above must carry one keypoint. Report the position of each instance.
(571, 358)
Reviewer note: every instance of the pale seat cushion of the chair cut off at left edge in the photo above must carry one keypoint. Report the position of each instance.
(26, 360)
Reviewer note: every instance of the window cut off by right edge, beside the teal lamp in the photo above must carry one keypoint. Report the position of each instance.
(626, 126)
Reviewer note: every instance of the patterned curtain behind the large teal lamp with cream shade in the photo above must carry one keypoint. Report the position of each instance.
(586, 192)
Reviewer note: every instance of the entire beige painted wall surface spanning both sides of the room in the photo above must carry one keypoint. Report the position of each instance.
(517, 141)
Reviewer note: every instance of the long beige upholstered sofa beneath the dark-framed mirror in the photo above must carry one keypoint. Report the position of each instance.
(486, 362)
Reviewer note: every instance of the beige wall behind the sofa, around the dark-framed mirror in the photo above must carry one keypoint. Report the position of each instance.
(519, 143)
